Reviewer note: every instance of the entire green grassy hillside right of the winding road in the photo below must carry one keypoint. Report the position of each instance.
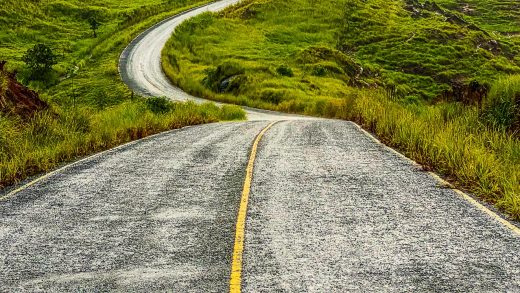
(440, 81)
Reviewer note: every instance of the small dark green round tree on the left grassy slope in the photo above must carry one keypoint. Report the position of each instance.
(40, 60)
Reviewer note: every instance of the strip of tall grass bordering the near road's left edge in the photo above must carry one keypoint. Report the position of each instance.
(48, 138)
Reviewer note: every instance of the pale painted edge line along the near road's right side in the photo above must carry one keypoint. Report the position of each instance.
(468, 198)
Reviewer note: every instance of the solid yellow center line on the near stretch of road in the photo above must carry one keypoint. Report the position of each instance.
(235, 280)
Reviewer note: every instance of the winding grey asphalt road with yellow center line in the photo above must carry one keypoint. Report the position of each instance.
(321, 207)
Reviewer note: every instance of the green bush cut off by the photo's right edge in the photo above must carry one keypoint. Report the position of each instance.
(502, 106)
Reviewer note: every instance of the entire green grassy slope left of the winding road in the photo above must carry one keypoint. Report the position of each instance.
(68, 51)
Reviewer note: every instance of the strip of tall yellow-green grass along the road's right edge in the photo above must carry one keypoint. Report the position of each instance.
(450, 139)
